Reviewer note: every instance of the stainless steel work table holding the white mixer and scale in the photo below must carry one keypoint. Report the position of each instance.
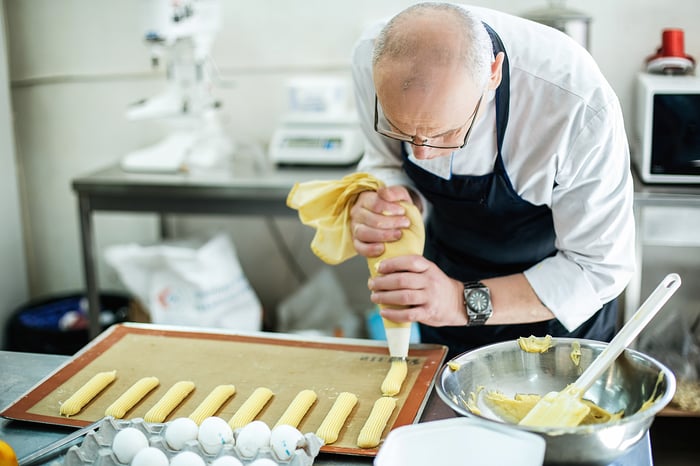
(244, 188)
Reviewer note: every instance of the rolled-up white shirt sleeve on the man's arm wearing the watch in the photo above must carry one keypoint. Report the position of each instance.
(592, 210)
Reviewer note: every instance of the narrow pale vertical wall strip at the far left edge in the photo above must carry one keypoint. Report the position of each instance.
(13, 272)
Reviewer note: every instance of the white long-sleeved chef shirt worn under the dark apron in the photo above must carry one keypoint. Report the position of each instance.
(565, 147)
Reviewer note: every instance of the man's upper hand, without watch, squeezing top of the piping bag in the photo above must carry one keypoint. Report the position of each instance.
(377, 218)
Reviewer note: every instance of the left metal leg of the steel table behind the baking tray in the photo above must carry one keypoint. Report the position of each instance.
(90, 269)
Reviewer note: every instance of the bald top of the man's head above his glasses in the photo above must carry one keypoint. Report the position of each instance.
(430, 39)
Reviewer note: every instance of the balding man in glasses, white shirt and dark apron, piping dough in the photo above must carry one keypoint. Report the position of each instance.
(507, 136)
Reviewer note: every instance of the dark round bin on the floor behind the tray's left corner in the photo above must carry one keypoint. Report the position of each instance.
(59, 324)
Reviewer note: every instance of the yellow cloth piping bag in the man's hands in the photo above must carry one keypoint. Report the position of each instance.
(325, 206)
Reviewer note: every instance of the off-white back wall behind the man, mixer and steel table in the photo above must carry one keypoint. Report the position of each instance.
(76, 64)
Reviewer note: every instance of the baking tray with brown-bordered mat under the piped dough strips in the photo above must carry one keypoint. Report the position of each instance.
(284, 363)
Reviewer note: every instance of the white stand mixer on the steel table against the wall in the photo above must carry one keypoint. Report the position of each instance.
(182, 36)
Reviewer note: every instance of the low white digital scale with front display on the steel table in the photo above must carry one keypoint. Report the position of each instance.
(333, 142)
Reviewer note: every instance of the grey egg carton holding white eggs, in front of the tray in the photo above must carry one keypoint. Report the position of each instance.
(96, 447)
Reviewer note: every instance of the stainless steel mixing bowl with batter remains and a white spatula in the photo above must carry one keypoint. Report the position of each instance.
(625, 386)
